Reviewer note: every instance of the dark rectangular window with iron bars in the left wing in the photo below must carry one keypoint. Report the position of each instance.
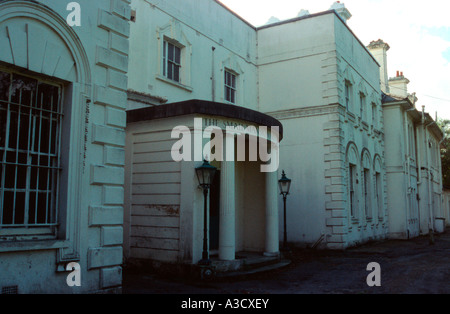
(30, 141)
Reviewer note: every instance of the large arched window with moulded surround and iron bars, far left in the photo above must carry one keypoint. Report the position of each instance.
(43, 94)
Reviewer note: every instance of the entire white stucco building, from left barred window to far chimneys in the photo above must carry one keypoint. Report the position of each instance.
(87, 120)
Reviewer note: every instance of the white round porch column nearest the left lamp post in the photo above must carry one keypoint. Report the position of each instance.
(227, 225)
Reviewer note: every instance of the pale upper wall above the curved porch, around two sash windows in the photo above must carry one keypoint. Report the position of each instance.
(212, 39)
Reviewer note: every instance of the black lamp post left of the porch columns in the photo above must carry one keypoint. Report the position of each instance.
(205, 174)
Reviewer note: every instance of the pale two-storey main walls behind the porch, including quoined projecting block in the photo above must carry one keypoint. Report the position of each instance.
(295, 75)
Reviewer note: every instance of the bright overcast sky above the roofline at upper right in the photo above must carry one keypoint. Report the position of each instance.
(418, 33)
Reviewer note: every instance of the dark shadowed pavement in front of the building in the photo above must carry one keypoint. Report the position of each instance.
(407, 267)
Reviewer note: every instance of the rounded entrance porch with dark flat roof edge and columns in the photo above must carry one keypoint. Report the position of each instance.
(164, 205)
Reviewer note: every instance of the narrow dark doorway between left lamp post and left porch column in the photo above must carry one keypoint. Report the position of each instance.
(214, 210)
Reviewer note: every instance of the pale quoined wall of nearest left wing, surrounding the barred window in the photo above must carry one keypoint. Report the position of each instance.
(91, 62)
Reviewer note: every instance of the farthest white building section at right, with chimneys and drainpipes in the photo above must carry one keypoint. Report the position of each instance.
(412, 150)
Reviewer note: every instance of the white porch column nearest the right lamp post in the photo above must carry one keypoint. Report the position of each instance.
(272, 236)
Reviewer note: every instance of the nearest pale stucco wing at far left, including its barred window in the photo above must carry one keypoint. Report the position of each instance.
(62, 120)
